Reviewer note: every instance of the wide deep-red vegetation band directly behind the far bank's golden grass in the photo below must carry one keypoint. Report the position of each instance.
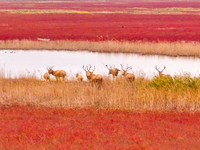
(100, 27)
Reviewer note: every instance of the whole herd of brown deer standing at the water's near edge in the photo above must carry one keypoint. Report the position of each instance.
(97, 78)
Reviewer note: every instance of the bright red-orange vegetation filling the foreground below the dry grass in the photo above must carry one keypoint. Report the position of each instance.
(31, 128)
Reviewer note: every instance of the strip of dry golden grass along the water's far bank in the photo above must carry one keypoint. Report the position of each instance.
(160, 48)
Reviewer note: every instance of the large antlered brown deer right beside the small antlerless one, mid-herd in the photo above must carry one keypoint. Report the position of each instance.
(91, 76)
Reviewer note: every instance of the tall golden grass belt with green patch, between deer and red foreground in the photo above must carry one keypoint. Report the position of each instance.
(179, 94)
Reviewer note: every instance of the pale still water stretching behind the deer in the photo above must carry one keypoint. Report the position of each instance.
(34, 62)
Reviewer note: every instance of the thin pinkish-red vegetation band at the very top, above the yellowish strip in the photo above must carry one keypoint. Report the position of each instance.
(98, 5)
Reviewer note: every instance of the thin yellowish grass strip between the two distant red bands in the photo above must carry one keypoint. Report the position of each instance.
(135, 10)
